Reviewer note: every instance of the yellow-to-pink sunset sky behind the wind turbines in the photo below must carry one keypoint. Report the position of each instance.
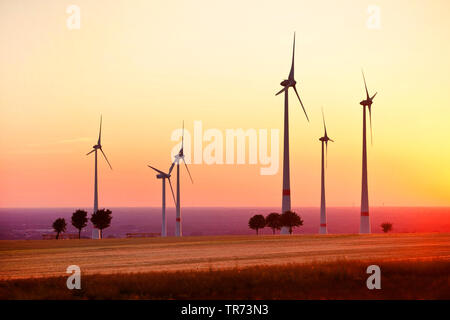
(146, 66)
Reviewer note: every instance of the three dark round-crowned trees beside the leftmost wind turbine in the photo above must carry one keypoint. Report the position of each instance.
(101, 219)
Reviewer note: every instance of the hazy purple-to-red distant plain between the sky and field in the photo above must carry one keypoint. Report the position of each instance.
(31, 223)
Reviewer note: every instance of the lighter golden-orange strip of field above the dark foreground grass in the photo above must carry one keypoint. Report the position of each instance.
(48, 258)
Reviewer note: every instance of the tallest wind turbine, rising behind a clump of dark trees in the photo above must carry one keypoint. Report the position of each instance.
(286, 194)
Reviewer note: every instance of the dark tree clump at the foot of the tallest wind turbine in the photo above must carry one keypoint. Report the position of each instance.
(275, 221)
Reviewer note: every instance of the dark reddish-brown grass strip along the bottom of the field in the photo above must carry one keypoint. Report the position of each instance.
(341, 279)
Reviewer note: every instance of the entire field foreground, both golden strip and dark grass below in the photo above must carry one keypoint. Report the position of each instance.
(413, 266)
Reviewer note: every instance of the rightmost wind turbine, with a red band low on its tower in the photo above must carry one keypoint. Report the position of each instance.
(364, 226)
